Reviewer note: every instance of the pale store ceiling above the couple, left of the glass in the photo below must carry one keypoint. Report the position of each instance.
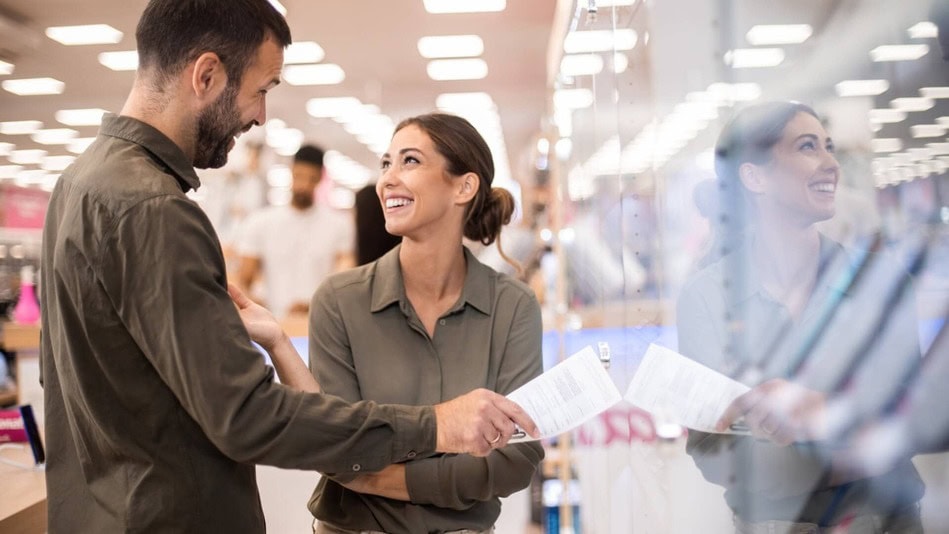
(374, 41)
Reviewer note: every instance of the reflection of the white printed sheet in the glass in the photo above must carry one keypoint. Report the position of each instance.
(682, 391)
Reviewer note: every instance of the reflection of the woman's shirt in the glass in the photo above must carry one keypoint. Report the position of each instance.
(764, 481)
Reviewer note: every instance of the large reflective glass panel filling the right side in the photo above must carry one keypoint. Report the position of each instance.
(760, 186)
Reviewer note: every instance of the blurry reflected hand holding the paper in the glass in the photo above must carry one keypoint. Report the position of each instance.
(779, 411)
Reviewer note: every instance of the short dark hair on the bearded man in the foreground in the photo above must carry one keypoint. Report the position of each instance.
(172, 33)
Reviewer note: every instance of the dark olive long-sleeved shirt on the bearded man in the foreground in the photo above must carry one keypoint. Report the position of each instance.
(157, 404)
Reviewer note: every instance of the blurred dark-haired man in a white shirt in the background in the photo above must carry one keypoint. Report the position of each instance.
(295, 247)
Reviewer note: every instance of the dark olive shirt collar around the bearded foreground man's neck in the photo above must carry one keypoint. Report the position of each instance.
(149, 138)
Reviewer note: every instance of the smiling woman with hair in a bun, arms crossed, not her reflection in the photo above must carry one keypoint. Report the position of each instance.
(425, 323)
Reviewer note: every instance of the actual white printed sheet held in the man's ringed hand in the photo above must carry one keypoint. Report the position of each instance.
(573, 391)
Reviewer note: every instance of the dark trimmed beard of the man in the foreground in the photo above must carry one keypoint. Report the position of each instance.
(217, 125)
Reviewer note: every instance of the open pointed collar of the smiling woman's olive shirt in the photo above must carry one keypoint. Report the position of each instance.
(388, 287)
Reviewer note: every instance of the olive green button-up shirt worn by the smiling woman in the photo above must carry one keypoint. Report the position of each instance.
(367, 342)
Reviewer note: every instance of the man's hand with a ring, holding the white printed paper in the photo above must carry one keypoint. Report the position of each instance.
(478, 422)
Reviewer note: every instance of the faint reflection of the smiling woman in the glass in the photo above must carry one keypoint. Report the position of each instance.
(736, 313)
